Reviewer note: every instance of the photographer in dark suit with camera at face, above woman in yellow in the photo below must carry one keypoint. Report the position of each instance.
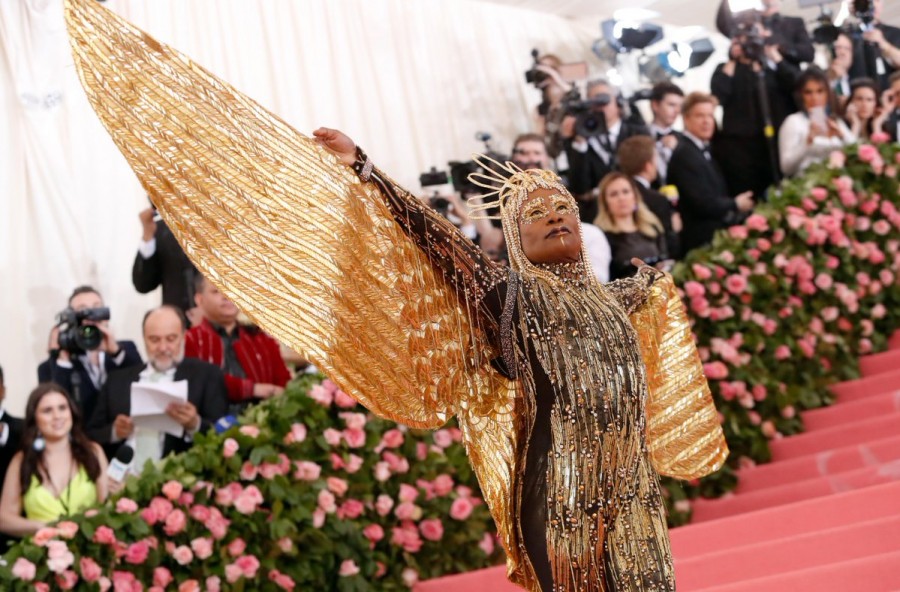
(83, 349)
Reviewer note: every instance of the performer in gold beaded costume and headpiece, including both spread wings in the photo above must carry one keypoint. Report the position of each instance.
(571, 396)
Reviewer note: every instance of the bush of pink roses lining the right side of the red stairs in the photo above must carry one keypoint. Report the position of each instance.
(783, 305)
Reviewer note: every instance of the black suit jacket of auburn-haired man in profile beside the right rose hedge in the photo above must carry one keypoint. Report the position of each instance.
(703, 200)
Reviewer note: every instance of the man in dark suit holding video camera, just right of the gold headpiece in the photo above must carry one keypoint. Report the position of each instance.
(594, 128)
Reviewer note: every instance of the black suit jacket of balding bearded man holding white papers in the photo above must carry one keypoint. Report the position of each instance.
(206, 390)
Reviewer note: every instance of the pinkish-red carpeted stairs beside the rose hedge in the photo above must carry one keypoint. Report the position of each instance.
(823, 516)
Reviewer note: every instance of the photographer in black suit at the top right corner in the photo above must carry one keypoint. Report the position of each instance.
(876, 46)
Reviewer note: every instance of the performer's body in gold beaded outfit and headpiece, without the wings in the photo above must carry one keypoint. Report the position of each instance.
(587, 509)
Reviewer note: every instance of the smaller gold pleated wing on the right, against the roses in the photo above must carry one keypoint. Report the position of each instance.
(684, 436)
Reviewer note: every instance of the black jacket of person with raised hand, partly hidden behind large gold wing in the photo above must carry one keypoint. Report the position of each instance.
(168, 267)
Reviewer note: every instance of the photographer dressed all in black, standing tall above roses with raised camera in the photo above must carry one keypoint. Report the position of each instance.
(755, 88)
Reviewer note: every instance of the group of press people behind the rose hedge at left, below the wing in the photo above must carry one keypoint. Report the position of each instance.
(78, 420)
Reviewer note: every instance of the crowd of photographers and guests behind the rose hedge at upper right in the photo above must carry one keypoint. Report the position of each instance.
(658, 190)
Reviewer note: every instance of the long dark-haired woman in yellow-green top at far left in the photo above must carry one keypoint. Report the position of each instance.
(59, 471)
